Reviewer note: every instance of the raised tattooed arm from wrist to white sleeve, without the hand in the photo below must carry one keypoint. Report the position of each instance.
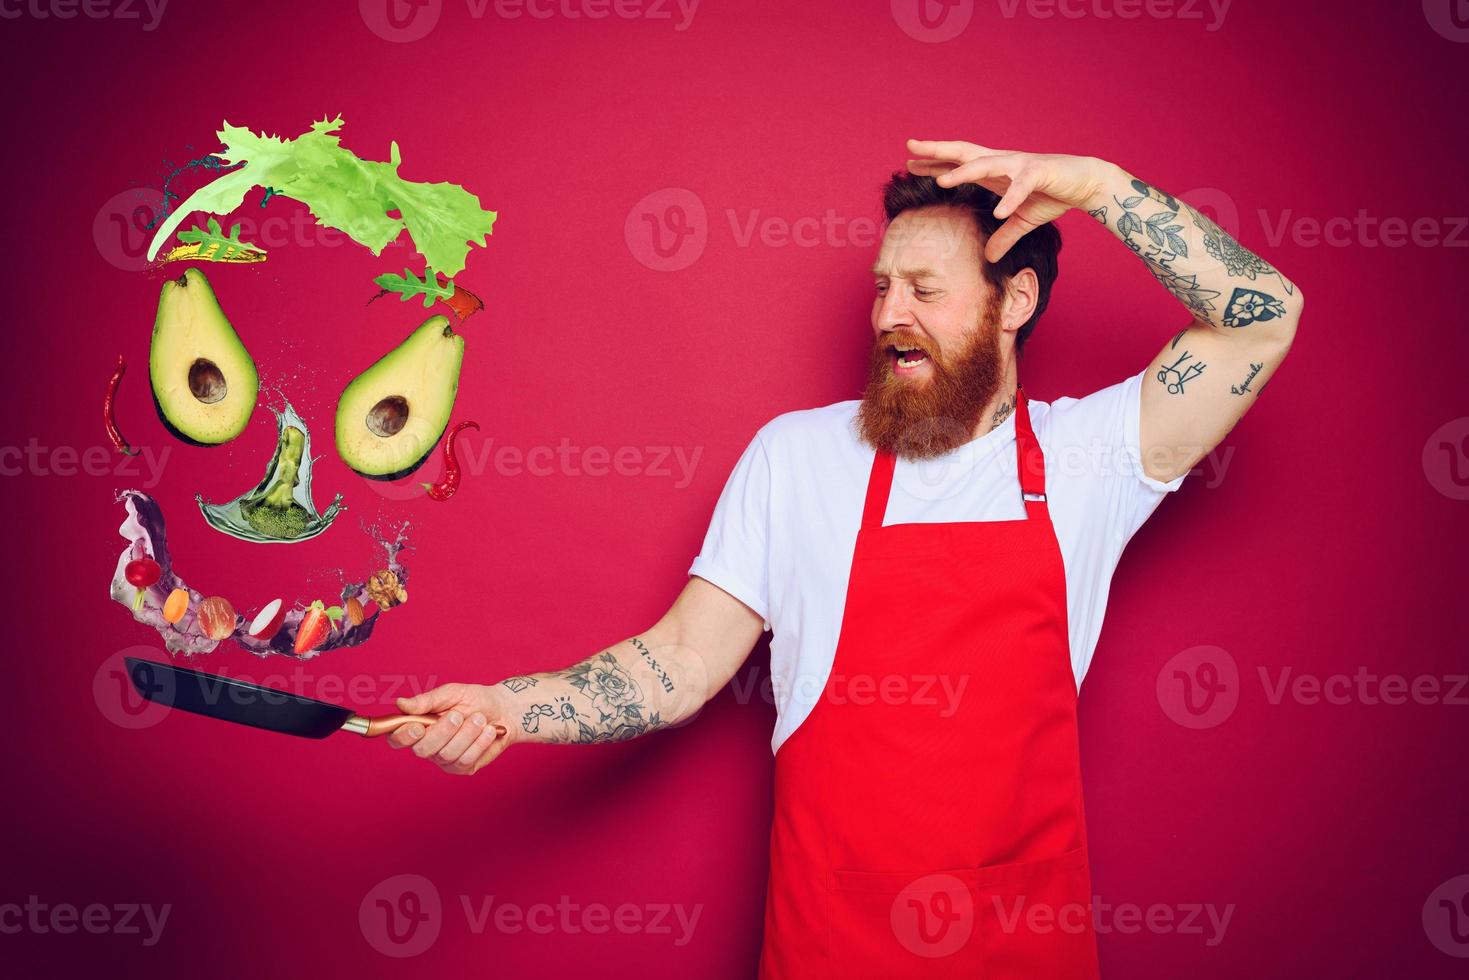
(1245, 315)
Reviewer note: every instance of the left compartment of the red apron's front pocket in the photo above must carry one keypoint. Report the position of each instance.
(903, 925)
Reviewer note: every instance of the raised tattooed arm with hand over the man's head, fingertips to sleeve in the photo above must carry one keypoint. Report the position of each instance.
(1245, 312)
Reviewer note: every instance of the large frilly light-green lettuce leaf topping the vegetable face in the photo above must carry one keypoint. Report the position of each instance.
(365, 199)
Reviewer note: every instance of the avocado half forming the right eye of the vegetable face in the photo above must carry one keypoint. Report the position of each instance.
(393, 415)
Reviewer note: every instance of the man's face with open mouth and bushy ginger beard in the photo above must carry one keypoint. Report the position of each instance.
(936, 353)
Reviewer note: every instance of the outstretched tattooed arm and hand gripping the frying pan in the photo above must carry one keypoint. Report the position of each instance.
(647, 682)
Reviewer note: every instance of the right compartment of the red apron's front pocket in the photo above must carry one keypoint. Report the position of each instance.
(1033, 919)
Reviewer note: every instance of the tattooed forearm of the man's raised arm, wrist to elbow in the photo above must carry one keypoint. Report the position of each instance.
(1194, 258)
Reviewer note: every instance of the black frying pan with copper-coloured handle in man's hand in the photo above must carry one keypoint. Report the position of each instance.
(255, 706)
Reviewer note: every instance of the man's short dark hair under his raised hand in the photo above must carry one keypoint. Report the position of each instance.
(1038, 251)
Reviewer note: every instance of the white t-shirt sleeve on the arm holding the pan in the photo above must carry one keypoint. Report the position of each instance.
(737, 547)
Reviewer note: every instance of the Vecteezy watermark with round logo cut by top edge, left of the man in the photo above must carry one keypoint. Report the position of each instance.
(403, 21)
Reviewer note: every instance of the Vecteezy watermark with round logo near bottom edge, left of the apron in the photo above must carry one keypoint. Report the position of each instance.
(403, 916)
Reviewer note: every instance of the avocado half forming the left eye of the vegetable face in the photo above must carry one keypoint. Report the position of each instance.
(205, 383)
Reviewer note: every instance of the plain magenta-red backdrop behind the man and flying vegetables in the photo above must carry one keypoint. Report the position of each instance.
(1324, 538)
